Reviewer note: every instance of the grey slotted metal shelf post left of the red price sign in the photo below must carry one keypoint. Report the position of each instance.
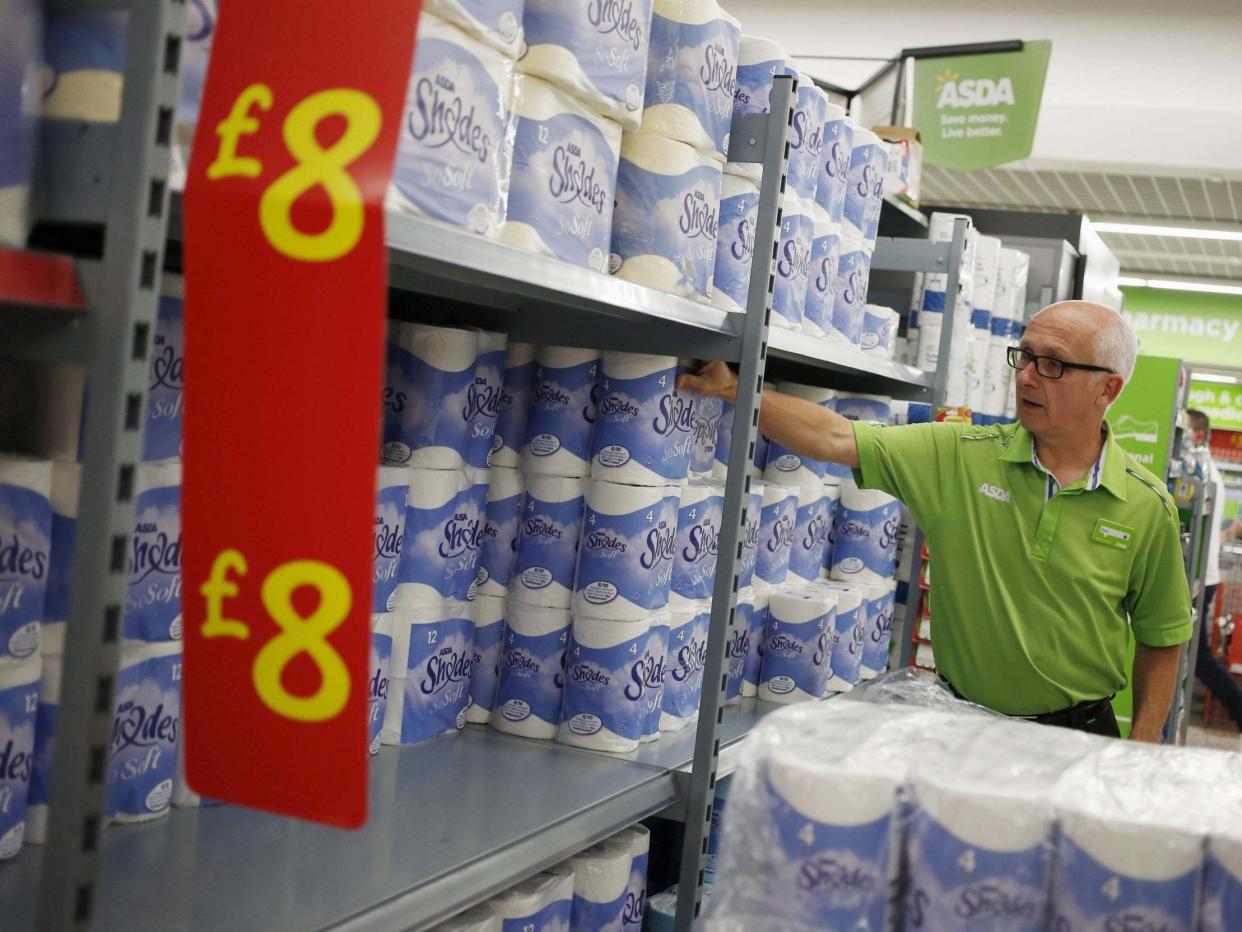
(120, 322)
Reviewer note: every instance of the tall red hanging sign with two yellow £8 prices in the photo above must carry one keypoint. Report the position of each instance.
(286, 299)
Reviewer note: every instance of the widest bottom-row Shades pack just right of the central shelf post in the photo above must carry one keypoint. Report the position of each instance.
(798, 646)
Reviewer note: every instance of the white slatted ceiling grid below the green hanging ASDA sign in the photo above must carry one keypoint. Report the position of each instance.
(1136, 198)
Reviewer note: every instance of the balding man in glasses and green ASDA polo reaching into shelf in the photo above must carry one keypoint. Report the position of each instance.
(1051, 545)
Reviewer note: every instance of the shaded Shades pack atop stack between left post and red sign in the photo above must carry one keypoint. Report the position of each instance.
(162, 437)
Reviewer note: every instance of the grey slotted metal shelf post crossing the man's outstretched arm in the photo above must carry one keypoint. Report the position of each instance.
(763, 139)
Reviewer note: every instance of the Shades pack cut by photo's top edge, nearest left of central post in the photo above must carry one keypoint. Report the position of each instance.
(692, 64)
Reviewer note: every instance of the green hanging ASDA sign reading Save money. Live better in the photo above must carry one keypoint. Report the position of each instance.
(979, 111)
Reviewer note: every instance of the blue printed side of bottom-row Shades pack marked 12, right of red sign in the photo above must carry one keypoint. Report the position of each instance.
(438, 679)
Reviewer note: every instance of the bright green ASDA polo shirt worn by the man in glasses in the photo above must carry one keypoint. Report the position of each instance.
(1035, 587)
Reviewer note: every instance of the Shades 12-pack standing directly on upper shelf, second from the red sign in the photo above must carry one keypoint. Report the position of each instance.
(563, 182)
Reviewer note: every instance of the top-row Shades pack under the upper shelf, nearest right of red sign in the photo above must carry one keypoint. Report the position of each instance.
(430, 378)
